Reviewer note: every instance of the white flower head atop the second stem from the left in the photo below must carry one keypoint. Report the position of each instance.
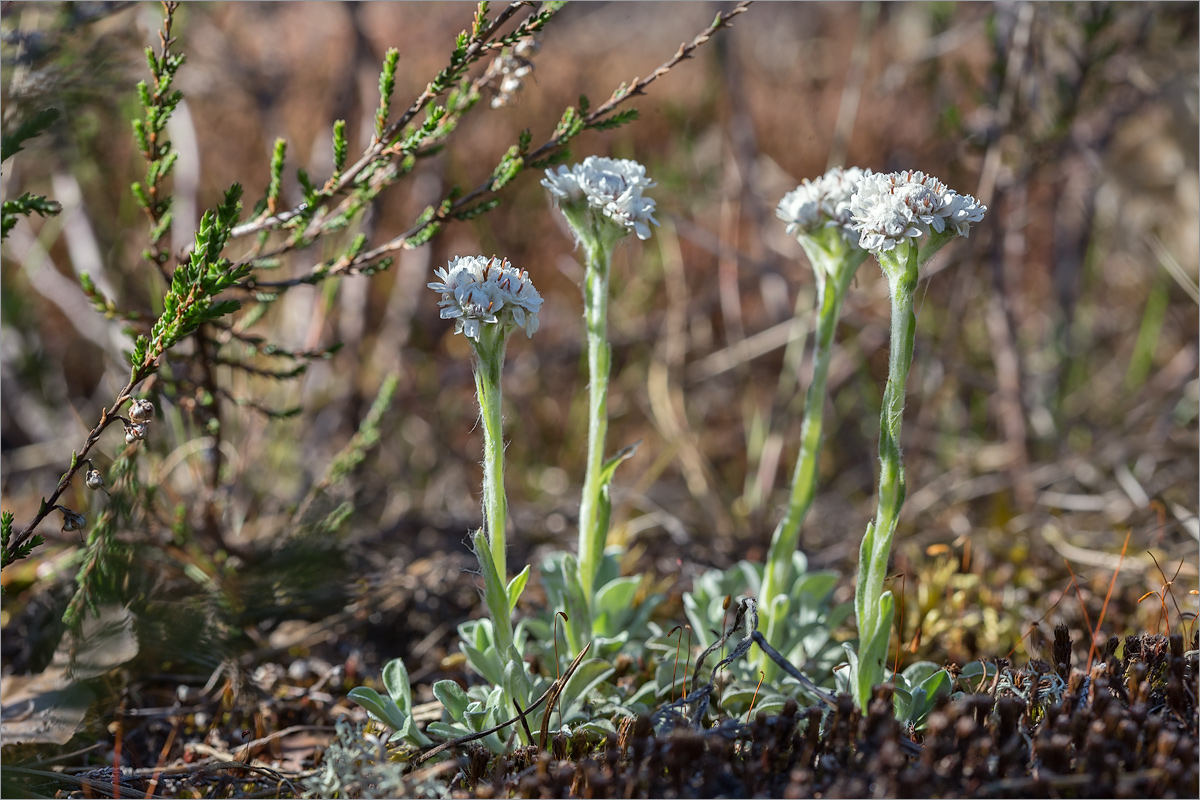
(611, 187)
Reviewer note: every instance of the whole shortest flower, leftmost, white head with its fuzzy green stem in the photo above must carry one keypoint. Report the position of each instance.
(489, 299)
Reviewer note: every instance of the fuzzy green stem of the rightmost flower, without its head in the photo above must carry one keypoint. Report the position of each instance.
(902, 273)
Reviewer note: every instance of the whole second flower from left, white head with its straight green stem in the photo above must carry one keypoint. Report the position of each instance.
(603, 202)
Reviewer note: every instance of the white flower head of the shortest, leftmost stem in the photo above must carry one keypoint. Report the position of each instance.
(478, 291)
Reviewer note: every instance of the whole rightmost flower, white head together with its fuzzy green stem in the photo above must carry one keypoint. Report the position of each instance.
(903, 219)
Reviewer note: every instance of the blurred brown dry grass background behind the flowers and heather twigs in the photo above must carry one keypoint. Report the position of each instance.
(1053, 402)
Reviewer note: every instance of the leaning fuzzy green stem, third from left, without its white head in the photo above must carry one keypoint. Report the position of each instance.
(835, 274)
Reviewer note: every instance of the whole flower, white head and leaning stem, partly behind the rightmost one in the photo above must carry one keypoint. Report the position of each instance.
(818, 213)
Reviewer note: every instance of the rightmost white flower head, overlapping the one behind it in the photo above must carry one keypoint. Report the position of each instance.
(889, 209)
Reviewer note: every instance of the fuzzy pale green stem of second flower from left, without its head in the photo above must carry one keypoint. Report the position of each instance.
(596, 316)
